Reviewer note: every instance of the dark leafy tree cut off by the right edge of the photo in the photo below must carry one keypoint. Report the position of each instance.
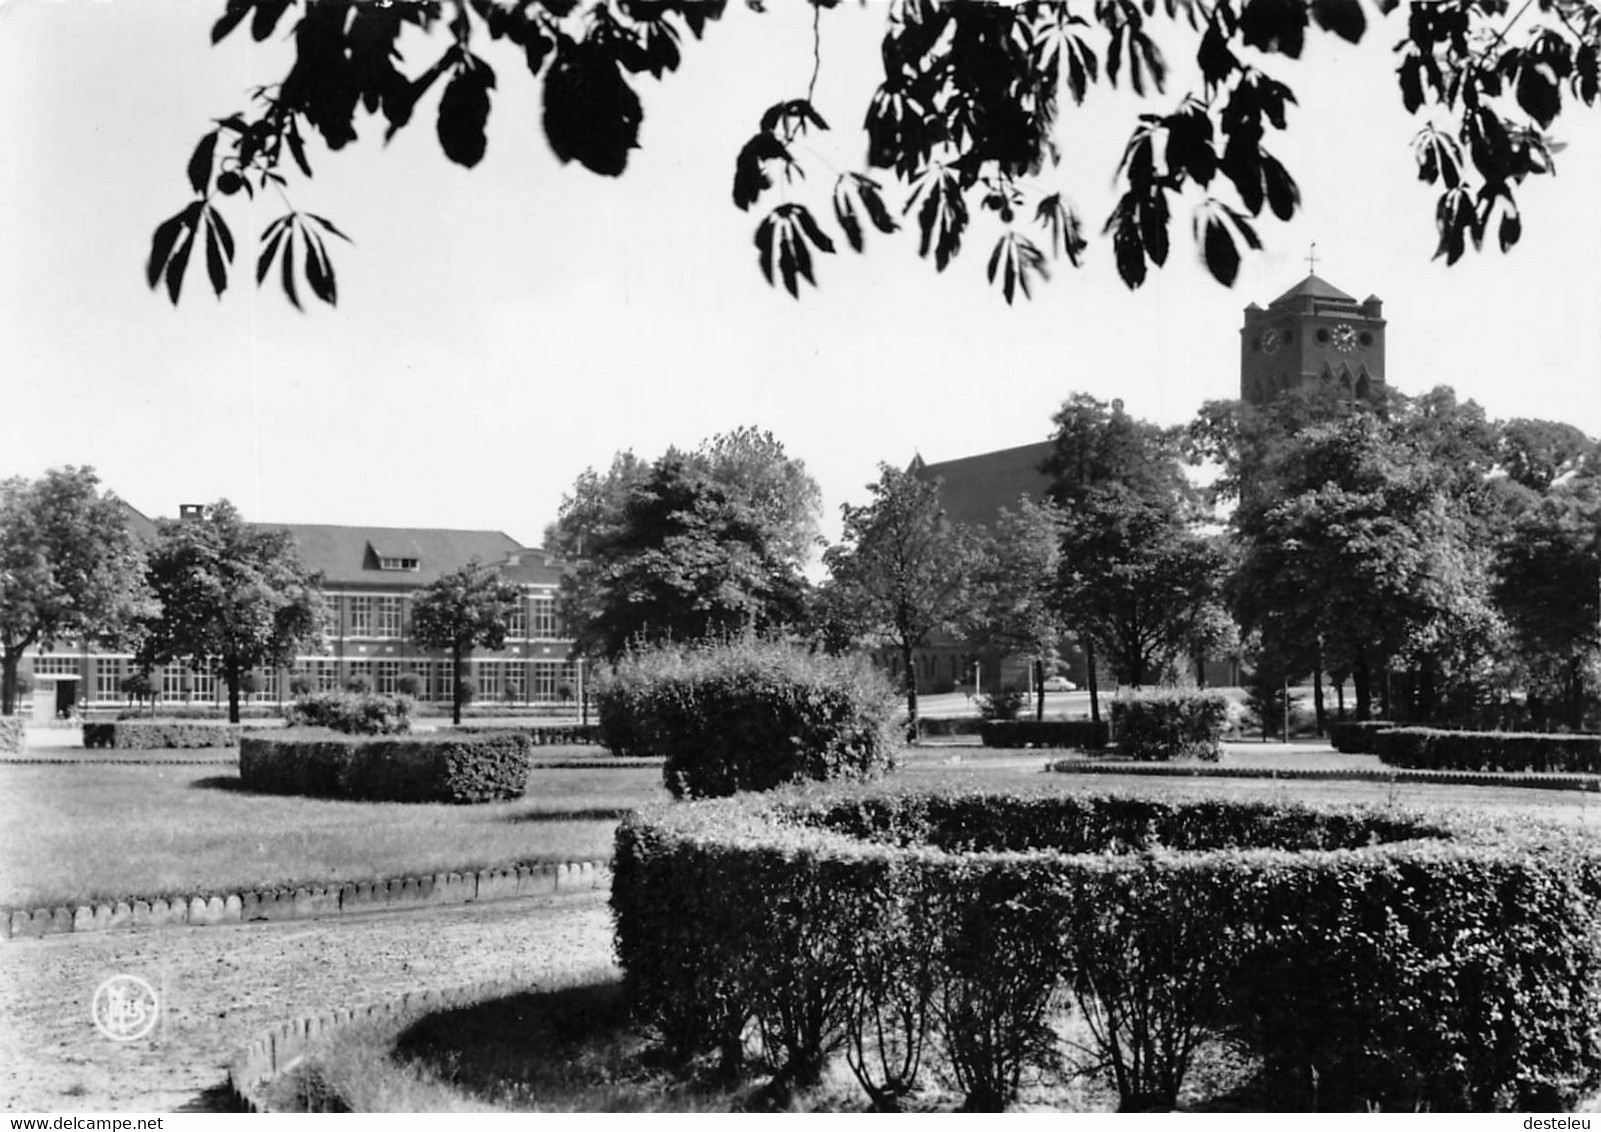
(1549, 584)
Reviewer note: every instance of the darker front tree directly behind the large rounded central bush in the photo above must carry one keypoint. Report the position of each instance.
(684, 560)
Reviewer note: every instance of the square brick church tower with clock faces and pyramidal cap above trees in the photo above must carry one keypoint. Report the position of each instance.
(1314, 335)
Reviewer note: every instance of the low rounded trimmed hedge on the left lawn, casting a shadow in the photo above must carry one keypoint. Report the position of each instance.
(439, 768)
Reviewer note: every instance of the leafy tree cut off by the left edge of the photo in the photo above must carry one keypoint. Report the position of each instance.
(70, 568)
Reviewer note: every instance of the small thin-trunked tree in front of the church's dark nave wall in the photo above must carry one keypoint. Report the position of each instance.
(1014, 609)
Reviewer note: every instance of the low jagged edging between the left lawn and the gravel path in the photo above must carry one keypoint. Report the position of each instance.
(308, 901)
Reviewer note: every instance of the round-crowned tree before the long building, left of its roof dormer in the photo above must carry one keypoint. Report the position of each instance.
(235, 596)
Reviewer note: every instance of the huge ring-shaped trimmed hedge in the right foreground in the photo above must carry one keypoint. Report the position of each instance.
(1368, 958)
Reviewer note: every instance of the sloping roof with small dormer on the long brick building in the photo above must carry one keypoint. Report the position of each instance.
(350, 555)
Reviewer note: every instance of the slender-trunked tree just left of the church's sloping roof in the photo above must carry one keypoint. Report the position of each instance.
(902, 569)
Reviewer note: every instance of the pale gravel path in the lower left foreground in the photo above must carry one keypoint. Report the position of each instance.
(223, 985)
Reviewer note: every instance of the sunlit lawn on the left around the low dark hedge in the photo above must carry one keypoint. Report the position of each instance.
(94, 832)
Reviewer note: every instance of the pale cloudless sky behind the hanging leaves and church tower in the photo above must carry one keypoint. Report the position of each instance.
(504, 329)
